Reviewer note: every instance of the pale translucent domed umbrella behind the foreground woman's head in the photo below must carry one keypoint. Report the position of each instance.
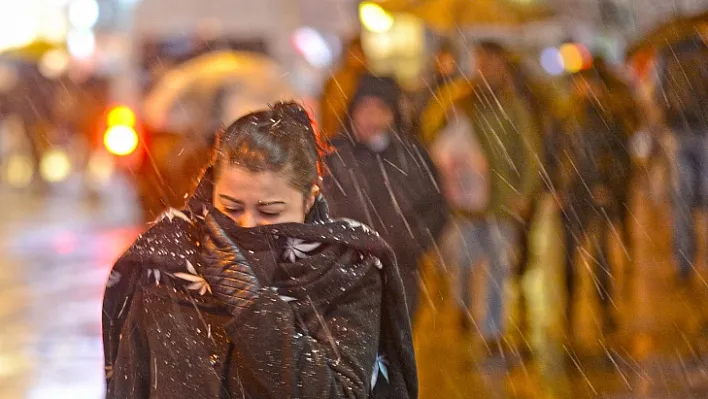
(255, 79)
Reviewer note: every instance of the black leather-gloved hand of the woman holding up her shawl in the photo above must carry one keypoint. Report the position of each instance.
(231, 278)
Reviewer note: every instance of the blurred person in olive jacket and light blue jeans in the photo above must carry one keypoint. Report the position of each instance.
(494, 122)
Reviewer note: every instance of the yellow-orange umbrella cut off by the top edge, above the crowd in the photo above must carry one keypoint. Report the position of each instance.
(447, 15)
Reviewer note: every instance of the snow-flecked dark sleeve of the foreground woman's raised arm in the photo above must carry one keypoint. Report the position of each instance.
(333, 358)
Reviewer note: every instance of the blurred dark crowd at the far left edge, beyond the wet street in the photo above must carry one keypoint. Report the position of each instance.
(47, 124)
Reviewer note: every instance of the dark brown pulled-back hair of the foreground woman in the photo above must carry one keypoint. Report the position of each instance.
(281, 139)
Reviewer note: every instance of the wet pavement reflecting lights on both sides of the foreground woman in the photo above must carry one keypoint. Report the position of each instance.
(56, 253)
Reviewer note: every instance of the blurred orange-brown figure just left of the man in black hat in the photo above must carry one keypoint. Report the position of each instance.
(340, 87)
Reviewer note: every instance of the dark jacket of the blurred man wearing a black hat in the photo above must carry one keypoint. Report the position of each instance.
(394, 191)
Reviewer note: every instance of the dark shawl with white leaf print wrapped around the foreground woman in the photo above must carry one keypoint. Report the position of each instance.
(328, 324)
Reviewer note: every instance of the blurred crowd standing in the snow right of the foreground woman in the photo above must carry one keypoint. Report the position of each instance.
(458, 171)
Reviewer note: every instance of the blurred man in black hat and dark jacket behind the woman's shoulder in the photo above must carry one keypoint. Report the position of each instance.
(381, 176)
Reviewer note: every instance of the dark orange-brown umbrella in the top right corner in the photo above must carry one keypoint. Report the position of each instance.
(670, 33)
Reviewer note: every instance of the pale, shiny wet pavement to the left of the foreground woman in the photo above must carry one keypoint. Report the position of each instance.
(56, 254)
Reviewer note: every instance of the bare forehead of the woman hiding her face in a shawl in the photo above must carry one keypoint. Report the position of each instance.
(247, 186)
